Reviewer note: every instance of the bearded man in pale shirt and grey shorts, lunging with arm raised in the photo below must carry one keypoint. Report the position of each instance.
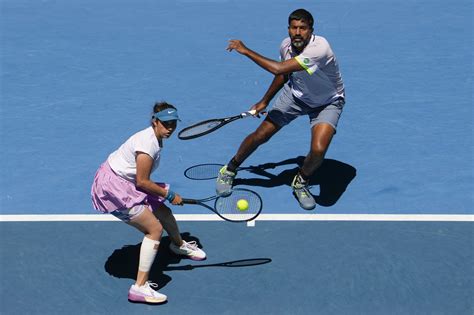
(311, 84)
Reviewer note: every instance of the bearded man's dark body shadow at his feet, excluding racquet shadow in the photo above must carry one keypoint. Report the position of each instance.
(333, 178)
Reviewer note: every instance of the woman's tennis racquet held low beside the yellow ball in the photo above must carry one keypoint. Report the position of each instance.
(226, 207)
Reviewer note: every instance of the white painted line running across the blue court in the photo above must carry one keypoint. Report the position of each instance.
(262, 217)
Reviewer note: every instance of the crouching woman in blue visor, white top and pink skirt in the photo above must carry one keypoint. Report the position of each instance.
(123, 188)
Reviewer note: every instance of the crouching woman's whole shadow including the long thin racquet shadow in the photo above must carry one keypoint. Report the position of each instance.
(123, 263)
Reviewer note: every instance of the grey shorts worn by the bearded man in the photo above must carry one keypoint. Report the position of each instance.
(287, 108)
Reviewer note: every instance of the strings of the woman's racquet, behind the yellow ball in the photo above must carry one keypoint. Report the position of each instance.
(227, 206)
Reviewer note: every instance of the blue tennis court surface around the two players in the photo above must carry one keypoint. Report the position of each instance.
(393, 229)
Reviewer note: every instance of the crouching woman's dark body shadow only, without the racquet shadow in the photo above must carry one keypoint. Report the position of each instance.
(123, 263)
